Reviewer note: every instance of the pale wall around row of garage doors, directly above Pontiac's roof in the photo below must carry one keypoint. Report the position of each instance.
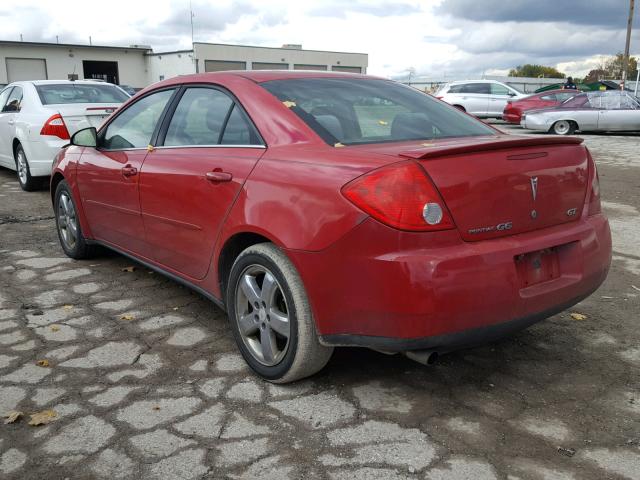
(210, 51)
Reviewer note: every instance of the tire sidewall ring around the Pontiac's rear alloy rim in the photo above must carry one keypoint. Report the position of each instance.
(281, 369)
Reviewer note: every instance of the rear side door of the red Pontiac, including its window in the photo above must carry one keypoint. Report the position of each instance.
(207, 148)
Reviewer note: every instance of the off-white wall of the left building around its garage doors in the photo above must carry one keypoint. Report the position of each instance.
(61, 60)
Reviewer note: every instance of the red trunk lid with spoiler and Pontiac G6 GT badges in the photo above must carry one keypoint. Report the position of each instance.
(504, 185)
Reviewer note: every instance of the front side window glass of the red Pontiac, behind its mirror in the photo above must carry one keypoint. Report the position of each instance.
(135, 125)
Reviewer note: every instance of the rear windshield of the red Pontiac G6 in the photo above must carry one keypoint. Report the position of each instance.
(356, 111)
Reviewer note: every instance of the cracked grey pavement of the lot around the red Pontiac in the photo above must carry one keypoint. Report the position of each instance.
(146, 382)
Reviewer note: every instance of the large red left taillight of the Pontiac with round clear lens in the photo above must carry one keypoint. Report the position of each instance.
(401, 196)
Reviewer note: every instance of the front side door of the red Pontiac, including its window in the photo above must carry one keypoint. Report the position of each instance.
(108, 175)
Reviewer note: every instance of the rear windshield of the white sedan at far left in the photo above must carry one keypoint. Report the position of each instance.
(51, 94)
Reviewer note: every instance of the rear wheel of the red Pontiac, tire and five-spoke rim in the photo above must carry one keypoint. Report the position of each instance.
(271, 318)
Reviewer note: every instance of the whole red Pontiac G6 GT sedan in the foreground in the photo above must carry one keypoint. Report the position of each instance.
(325, 209)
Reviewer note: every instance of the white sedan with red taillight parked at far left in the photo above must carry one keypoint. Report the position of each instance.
(37, 118)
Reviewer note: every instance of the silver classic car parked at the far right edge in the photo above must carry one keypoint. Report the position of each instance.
(606, 111)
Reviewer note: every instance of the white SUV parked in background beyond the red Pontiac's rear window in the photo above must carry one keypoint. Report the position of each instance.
(482, 98)
